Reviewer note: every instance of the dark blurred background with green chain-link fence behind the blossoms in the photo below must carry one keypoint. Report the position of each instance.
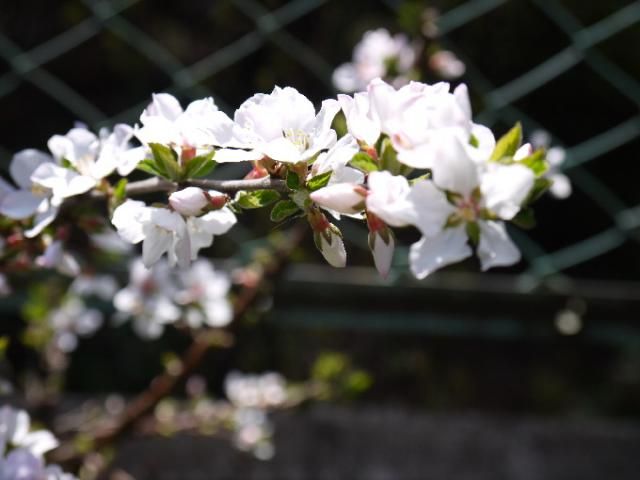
(546, 353)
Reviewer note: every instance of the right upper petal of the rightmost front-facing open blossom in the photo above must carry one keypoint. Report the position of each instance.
(504, 187)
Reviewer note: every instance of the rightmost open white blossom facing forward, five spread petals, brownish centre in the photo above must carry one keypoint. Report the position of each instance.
(483, 195)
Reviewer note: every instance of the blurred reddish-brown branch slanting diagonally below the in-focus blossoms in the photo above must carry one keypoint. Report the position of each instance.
(165, 383)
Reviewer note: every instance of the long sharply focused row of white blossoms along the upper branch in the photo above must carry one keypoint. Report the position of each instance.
(410, 156)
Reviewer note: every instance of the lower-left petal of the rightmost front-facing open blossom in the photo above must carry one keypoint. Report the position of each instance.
(431, 253)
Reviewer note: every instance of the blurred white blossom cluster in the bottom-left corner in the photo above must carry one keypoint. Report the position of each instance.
(22, 451)
